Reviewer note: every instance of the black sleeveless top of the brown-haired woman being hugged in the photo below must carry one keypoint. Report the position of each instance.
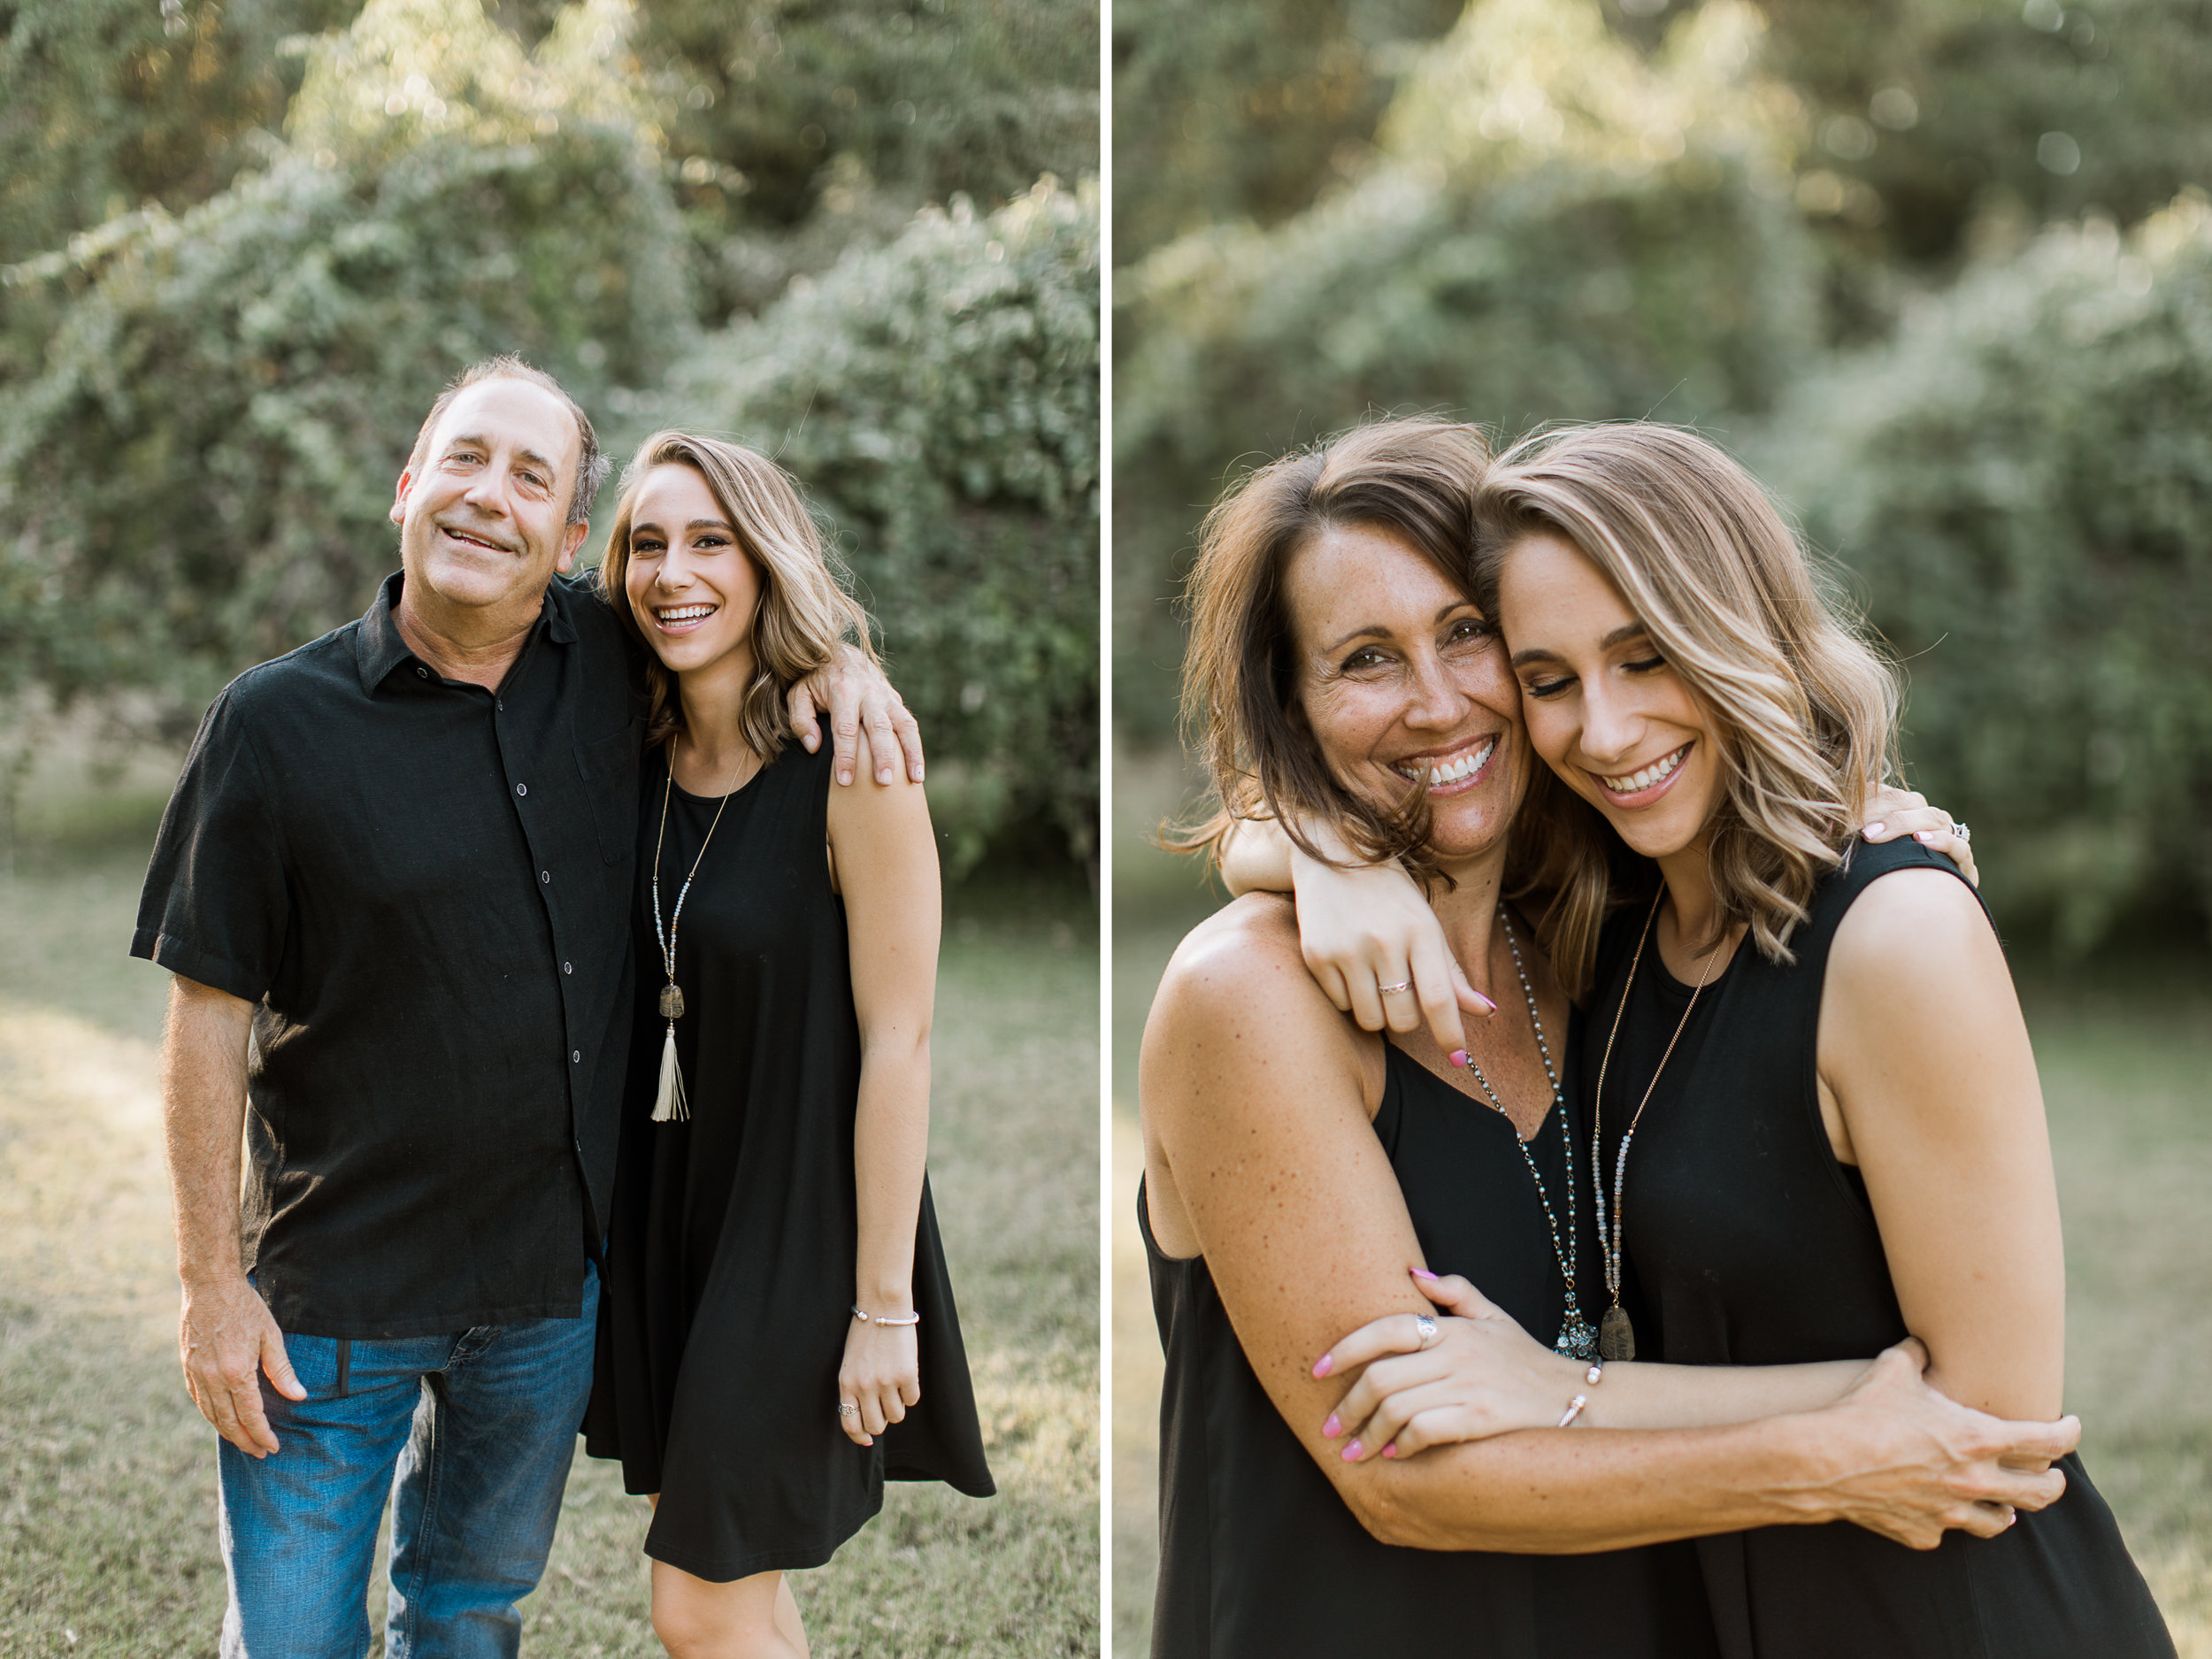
(1260, 1556)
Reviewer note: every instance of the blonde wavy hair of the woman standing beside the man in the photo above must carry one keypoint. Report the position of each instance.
(804, 607)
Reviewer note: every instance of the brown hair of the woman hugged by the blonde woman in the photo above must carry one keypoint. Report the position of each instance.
(1412, 477)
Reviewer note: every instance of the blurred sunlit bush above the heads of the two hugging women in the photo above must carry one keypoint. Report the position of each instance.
(1558, 229)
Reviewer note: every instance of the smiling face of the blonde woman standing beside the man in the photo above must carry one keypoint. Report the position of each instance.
(691, 585)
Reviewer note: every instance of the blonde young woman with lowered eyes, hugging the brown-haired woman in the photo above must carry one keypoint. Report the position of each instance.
(1815, 1112)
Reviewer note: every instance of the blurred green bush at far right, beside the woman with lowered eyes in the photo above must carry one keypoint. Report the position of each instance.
(2023, 486)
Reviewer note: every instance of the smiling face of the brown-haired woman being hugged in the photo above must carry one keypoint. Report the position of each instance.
(1404, 682)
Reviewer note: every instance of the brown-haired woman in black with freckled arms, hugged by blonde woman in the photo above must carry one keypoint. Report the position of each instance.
(1297, 1169)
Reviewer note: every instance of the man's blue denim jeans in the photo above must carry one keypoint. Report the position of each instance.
(472, 1439)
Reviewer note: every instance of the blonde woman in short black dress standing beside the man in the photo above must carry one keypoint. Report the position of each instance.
(778, 1333)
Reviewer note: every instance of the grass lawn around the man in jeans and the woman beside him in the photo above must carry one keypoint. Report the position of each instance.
(107, 1472)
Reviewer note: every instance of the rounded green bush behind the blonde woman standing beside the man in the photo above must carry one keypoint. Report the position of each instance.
(939, 399)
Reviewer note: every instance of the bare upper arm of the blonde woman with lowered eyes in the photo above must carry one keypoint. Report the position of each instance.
(1928, 1085)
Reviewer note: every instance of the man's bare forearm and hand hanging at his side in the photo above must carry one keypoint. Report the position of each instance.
(227, 1333)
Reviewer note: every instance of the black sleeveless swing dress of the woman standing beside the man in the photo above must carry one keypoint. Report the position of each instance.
(735, 1235)
